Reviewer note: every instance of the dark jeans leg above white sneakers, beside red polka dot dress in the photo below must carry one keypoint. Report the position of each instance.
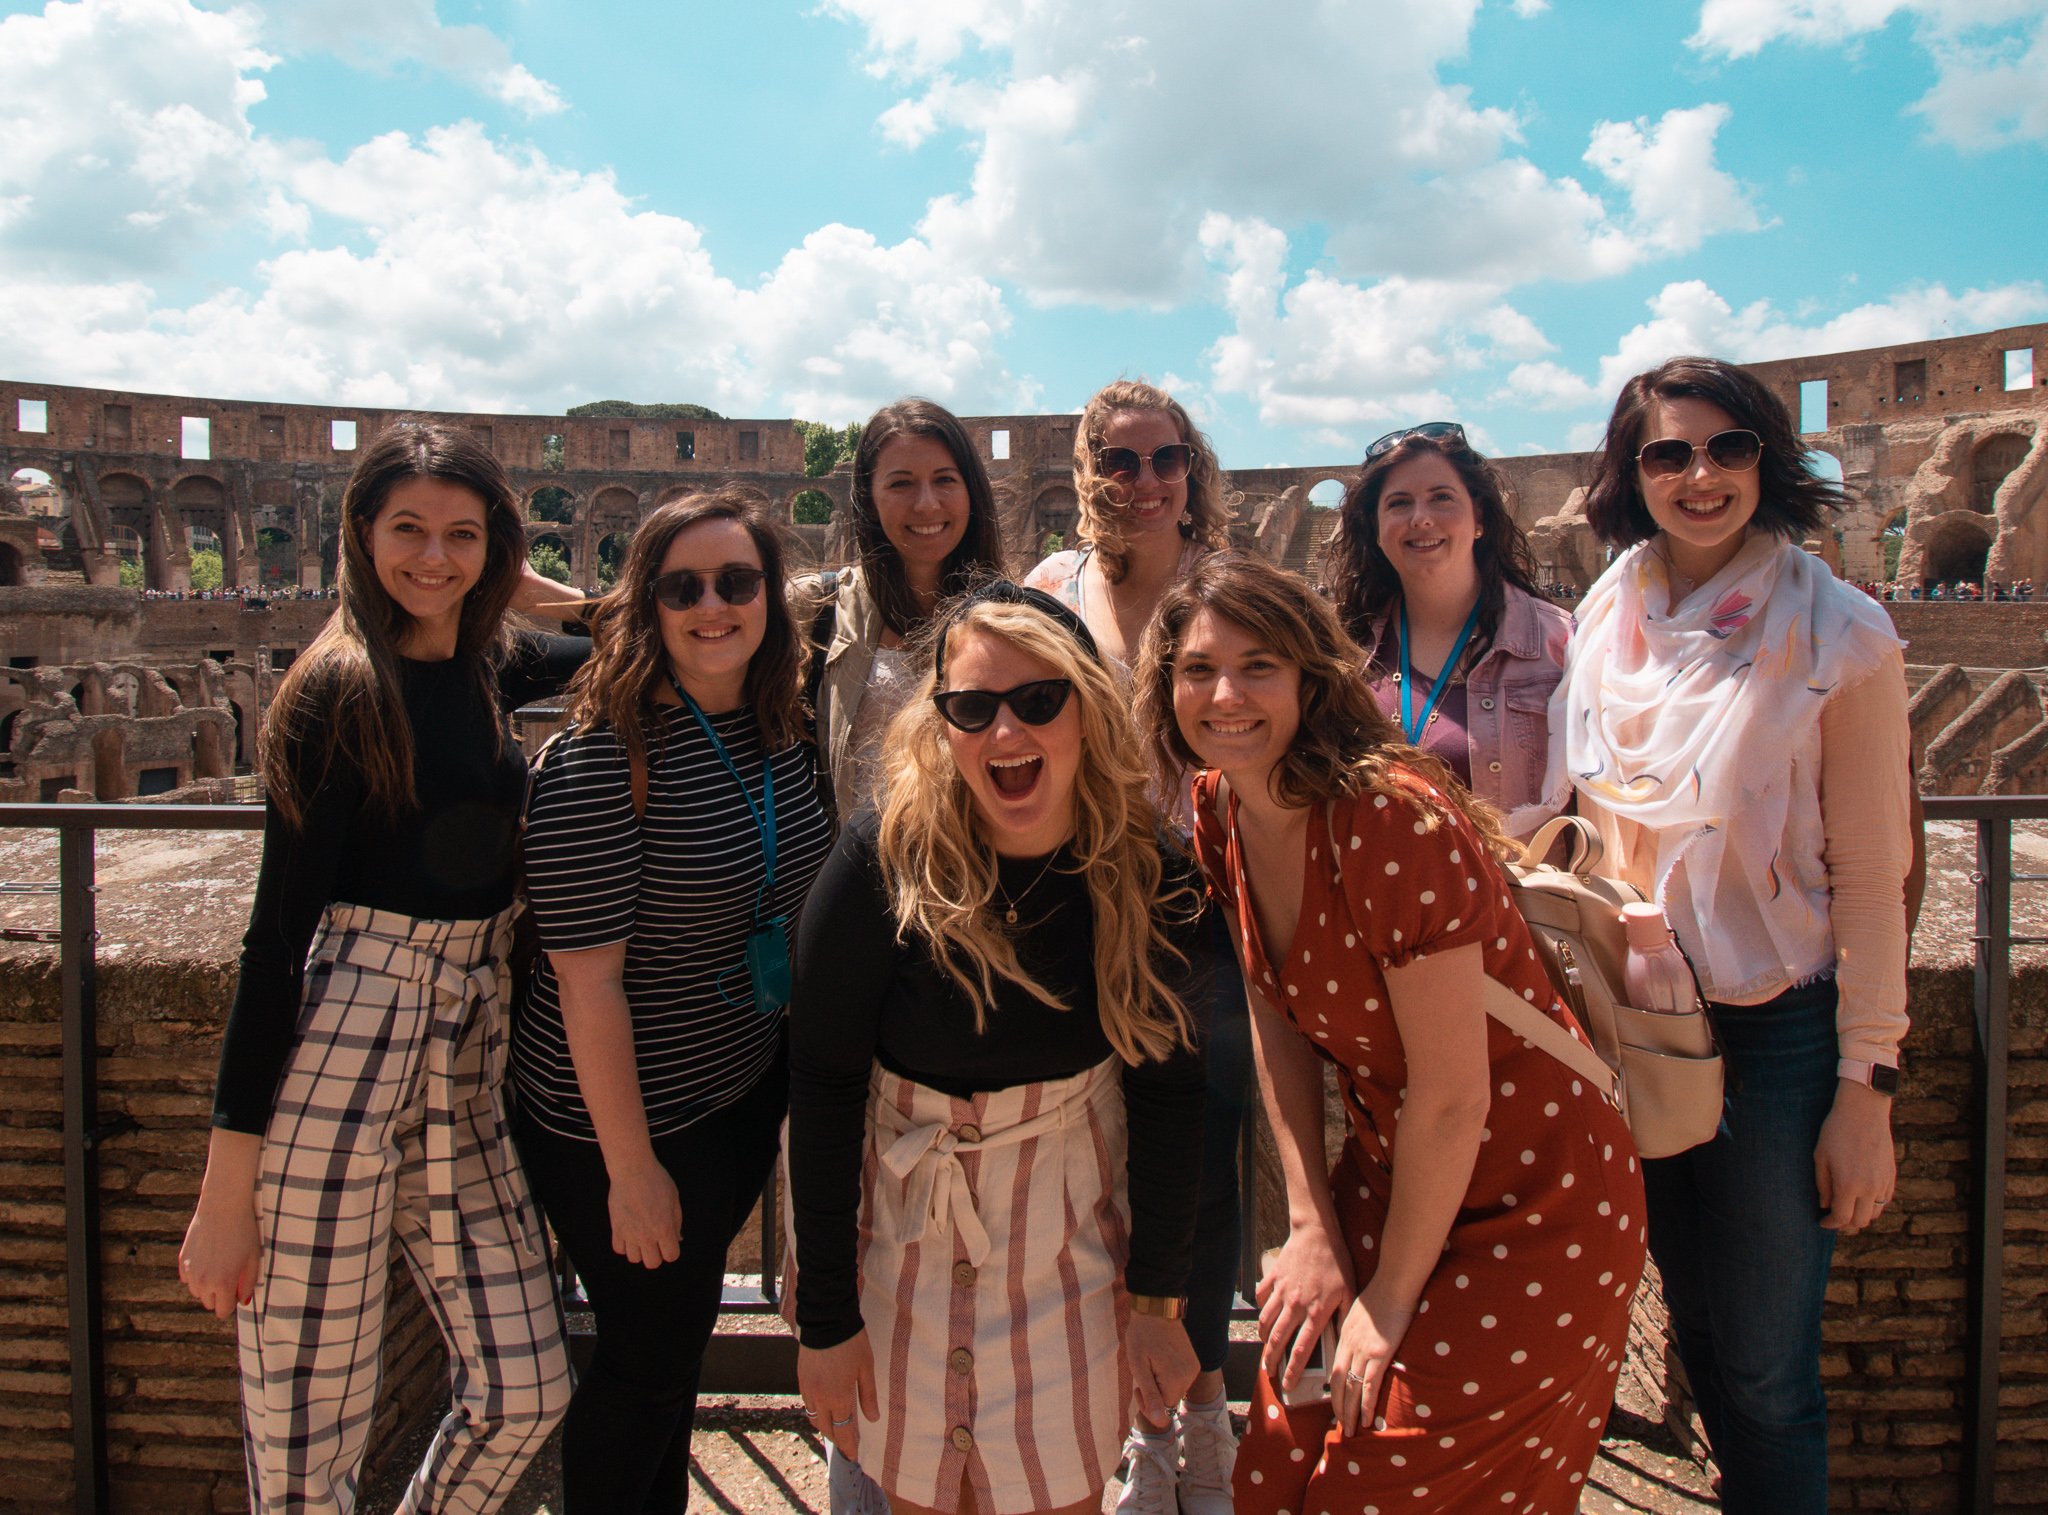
(1226, 1027)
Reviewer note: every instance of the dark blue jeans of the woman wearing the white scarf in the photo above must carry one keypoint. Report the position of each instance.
(1736, 1229)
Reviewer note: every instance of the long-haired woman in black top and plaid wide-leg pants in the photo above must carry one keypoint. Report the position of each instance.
(359, 1094)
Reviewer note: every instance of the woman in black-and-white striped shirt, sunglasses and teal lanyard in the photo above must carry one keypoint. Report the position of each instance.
(673, 836)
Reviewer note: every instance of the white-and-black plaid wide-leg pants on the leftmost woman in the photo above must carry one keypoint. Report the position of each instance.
(390, 1129)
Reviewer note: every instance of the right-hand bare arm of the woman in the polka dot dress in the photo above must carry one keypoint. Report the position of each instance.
(1437, 1006)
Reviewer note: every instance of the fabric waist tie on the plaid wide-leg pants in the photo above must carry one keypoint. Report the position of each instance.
(464, 1000)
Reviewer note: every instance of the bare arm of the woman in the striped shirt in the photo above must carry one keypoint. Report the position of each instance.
(595, 1014)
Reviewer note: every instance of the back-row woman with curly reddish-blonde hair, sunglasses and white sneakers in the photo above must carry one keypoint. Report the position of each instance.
(1152, 507)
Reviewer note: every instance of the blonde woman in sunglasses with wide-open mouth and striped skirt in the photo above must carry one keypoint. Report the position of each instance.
(994, 1092)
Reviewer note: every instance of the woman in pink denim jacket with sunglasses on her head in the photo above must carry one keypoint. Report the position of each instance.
(1437, 582)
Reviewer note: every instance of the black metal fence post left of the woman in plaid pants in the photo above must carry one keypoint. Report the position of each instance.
(77, 924)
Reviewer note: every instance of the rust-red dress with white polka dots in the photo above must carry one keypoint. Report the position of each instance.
(1502, 1385)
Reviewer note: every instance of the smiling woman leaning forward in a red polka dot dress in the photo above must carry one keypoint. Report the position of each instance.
(1480, 1240)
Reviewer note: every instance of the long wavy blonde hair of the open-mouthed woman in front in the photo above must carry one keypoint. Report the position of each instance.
(941, 869)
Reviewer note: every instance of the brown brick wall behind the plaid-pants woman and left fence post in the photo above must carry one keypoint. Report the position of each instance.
(173, 1418)
